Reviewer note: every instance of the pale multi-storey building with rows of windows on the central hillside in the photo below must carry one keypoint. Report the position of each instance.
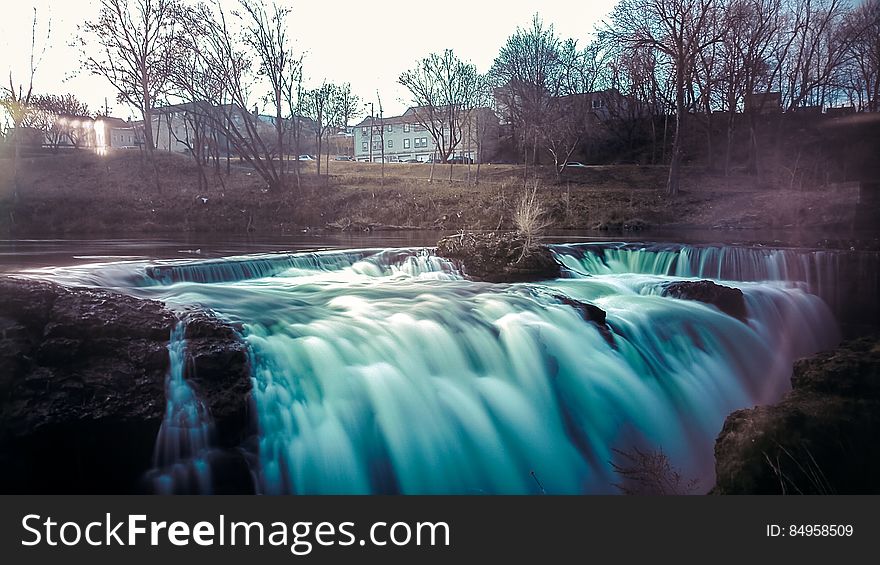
(405, 139)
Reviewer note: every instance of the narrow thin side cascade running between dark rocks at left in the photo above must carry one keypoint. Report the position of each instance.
(181, 457)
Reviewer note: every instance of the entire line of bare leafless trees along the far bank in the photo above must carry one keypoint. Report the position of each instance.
(694, 61)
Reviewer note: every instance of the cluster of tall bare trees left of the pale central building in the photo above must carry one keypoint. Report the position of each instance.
(218, 67)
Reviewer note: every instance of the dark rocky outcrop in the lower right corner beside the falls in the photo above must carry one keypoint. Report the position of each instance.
(820, 439)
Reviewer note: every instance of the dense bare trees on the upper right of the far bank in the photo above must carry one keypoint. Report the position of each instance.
(696, 57)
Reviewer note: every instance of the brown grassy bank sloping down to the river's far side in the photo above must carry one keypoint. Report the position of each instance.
(85, 193)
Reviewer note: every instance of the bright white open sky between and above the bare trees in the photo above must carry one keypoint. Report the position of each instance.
(365, 43)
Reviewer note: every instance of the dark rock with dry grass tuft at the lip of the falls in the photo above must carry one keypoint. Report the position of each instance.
(499, 257)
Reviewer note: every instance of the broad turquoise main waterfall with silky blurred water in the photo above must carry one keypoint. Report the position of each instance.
(385, 371)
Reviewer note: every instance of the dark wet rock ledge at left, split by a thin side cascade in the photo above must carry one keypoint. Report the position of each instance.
(82, 387)
